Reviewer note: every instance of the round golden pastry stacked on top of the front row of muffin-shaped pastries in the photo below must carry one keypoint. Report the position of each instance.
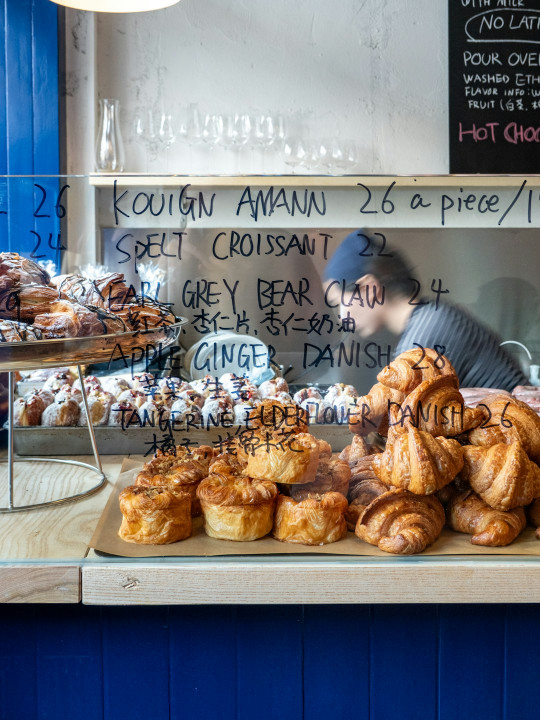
(290, 461)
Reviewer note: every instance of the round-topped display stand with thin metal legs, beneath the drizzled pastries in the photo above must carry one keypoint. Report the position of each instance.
(72, 351)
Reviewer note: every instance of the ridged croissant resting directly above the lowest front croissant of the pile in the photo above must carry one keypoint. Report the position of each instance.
(417, 461)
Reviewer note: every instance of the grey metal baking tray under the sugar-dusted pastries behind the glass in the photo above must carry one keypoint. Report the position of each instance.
(57, 441)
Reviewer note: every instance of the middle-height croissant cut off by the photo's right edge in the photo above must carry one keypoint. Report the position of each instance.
(502, 475)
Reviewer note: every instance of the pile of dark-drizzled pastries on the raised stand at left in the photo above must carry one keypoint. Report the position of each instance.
(34, 306)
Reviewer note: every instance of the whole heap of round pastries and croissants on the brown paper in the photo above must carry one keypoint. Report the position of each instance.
(472, 468)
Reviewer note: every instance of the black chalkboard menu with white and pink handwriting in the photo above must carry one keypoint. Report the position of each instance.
(494, 86)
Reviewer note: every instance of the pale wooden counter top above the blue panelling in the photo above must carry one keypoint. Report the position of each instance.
(44, 558)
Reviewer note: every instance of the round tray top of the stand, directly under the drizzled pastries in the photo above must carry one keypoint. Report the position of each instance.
(31, 355)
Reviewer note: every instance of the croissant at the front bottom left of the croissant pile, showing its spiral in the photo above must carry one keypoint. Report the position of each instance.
(399, 522)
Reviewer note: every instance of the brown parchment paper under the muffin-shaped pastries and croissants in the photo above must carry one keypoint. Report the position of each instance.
(106, 539)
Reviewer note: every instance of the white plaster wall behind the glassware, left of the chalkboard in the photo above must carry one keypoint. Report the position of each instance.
(371, 70)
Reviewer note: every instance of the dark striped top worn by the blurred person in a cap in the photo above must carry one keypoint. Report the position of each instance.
(472, 348)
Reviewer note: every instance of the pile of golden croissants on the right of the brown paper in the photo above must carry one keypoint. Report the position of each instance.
(475, 469)
